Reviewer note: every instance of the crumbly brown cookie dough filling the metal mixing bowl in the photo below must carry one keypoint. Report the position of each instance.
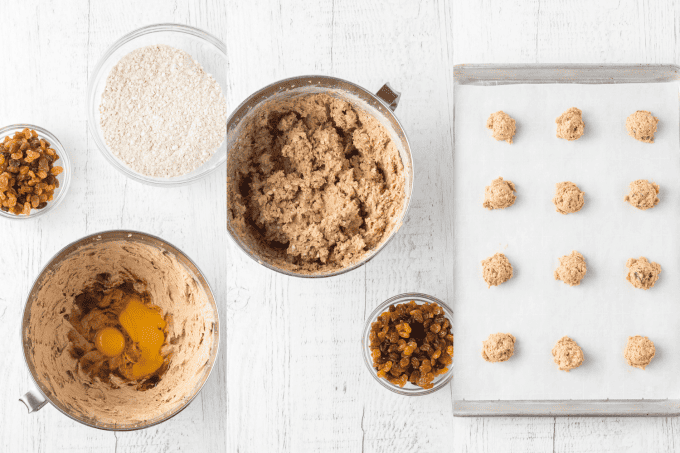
(314, 183)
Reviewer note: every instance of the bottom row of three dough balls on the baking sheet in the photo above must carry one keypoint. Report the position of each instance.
(499, 347)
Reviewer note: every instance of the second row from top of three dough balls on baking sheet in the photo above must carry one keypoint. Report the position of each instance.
(568, 197)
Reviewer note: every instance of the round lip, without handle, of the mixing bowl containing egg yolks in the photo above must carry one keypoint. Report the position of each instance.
(89, 239)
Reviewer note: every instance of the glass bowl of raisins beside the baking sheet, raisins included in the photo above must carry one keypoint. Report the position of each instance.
(408, 344)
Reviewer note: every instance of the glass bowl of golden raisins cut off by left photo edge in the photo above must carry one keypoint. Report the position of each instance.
(35, 171)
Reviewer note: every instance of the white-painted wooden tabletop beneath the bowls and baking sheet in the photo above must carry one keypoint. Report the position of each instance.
(277, 327)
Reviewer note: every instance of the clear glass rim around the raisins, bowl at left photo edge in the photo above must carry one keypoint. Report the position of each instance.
(64, 178)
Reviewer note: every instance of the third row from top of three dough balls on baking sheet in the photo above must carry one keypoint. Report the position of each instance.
(642, 273)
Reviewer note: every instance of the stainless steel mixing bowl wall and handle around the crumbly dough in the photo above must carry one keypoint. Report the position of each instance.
(380, 105)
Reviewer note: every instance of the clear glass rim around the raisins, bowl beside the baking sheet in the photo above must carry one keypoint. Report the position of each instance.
(408, 389)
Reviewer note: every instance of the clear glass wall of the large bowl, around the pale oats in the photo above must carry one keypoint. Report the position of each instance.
(204, 48)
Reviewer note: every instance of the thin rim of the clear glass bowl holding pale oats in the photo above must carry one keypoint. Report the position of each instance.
(91, 107)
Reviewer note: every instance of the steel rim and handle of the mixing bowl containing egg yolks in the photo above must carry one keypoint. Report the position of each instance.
(36, 399)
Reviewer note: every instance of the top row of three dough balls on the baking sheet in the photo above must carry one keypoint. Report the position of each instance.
(641, 125)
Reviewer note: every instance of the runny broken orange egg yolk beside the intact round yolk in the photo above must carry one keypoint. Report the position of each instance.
(145, 327)
